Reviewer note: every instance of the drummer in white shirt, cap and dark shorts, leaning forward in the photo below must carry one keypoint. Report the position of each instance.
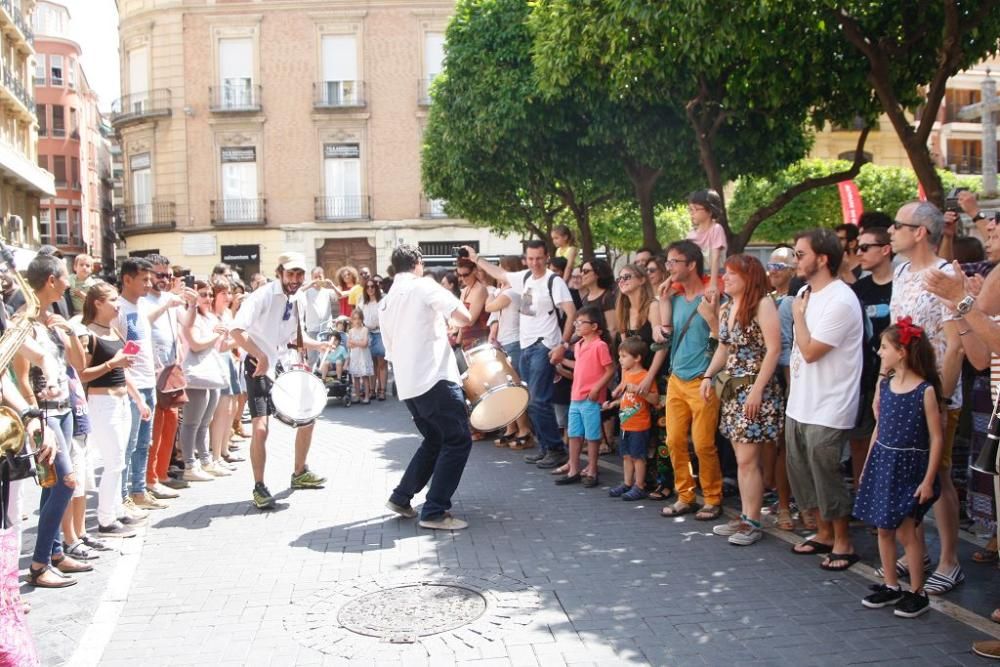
(267, 322)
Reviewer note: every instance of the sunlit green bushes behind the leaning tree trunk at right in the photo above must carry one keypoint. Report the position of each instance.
(882, 189)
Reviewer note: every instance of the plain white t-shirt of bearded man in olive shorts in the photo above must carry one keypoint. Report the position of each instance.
(825, 392)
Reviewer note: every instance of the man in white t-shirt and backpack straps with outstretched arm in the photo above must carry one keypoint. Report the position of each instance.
(543, 341)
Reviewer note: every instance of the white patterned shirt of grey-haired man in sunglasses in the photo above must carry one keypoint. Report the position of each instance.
(910, 298)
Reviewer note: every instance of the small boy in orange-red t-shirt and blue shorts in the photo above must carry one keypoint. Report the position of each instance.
(636, 419)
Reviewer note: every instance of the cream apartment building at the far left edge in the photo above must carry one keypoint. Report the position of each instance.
(22, 181)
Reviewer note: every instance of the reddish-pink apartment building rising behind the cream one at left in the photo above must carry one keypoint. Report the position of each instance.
(71, 142)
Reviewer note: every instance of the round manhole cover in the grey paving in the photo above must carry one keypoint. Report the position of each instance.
(419, 609)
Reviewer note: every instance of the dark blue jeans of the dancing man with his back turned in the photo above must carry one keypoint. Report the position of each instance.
(441, 417)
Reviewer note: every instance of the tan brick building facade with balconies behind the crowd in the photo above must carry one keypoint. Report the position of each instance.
(253, 128)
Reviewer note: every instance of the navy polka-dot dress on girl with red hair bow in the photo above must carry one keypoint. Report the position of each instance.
(898, 461)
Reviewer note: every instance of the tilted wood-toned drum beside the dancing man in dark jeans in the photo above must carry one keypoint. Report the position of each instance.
(493, 390)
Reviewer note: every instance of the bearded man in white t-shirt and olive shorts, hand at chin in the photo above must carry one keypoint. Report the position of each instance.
(825, 371)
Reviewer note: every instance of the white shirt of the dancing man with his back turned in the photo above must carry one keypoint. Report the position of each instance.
(415, 334)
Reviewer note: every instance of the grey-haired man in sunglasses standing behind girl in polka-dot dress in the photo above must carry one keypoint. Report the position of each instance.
(916, 234)
